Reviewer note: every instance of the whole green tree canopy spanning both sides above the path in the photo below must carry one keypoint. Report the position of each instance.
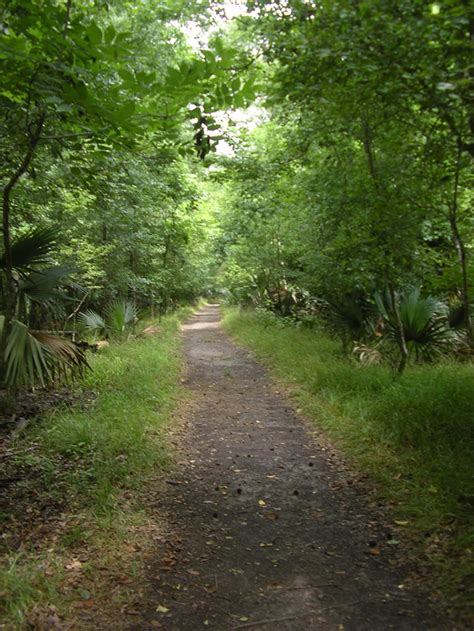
(349, 176)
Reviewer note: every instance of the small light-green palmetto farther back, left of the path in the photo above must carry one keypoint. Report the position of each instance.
(119, 318)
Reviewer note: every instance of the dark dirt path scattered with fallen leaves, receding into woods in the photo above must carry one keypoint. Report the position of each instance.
(269, 534)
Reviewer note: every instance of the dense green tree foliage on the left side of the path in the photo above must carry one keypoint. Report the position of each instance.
(101, 111)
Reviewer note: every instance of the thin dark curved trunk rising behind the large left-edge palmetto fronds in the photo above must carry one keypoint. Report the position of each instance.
(10, 286)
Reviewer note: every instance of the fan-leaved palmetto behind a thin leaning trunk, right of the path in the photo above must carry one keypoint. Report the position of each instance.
(424, 320)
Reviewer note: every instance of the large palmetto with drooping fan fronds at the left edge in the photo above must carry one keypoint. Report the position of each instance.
(36, 357)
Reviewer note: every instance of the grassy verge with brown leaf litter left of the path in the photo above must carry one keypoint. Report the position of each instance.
(76, 518)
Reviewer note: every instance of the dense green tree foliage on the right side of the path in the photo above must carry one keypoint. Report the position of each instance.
(360, 180)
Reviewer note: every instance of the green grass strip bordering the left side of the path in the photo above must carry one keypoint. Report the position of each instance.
(93, 462)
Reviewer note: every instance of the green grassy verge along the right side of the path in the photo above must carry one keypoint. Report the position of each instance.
(413, 435)
